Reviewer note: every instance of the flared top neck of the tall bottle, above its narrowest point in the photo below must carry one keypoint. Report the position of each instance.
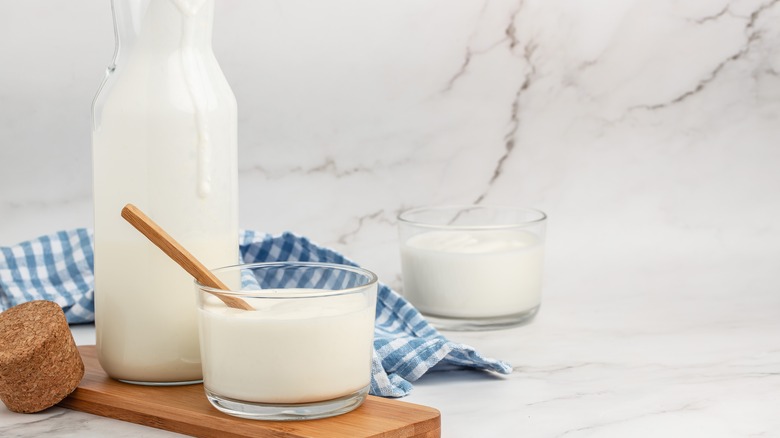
(162, 26)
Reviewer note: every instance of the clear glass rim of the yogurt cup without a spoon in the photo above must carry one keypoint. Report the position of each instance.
(403, 217)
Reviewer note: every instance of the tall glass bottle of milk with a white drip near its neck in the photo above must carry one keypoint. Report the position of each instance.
(164, 139)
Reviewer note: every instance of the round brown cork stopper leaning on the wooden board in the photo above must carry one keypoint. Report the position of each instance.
(39, 362)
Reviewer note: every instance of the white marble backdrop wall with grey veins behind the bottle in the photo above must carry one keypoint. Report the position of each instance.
(647, 130)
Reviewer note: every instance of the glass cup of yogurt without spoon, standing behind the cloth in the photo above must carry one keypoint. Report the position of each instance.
(473, 267)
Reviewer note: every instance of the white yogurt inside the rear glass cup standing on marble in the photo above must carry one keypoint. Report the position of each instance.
(473, 274)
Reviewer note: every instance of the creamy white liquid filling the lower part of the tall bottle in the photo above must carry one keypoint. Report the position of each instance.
(147, 327)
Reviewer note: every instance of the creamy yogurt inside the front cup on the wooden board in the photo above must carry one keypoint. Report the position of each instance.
(288, 351)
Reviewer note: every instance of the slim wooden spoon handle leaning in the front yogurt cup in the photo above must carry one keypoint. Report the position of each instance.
(175, 251)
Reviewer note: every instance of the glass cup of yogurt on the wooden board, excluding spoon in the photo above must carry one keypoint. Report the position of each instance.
(305, 350)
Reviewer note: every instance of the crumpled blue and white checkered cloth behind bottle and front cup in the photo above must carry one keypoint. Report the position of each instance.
(58, 267)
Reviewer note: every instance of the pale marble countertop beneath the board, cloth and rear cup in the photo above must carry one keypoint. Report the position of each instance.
(619, 349)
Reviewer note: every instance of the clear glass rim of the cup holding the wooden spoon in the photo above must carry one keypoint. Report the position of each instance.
(278, 293)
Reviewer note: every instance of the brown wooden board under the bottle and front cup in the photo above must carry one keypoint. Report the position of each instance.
(185, 409)
